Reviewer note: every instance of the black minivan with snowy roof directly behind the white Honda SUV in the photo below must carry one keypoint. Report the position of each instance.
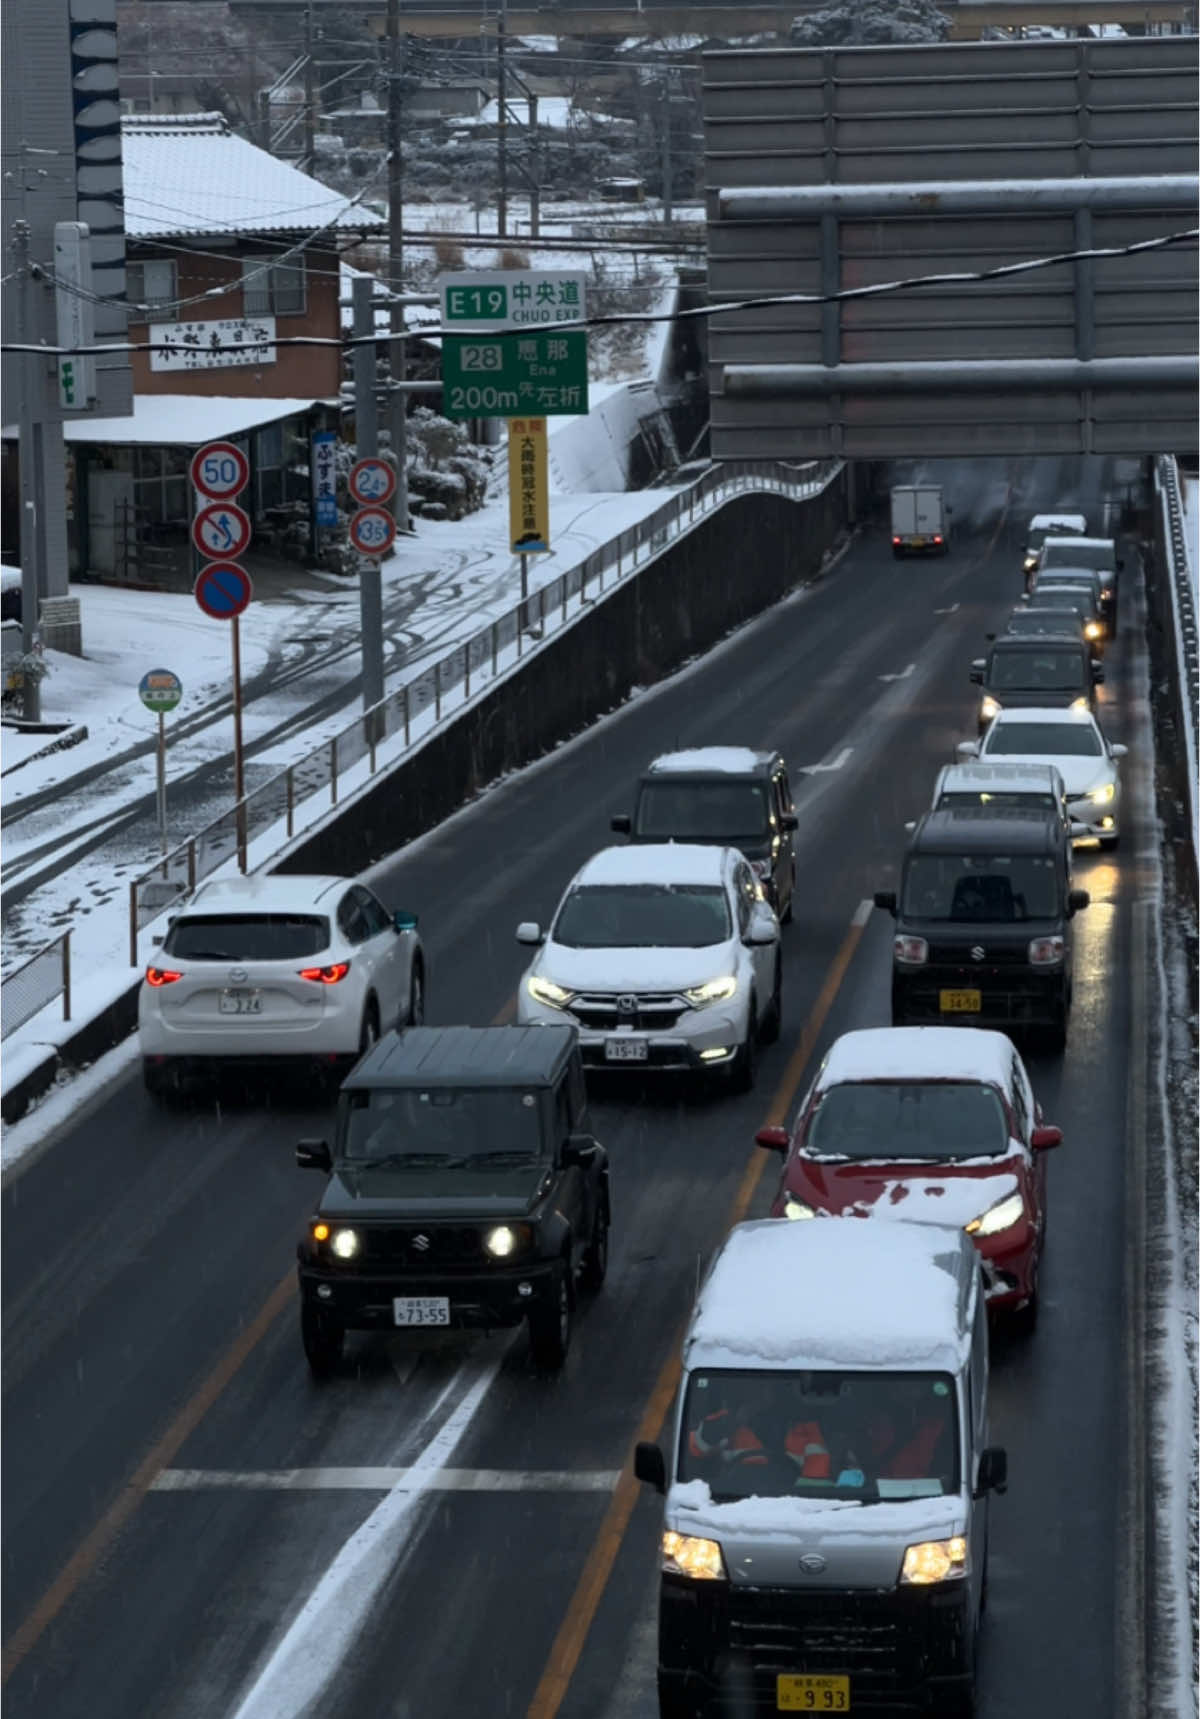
(730, 797)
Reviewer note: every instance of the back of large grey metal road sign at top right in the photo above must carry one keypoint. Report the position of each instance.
(1043, 195)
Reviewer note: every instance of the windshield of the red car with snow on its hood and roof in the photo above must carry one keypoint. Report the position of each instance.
(909, 1122)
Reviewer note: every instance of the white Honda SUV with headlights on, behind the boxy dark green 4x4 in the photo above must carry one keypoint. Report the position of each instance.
(664, 957)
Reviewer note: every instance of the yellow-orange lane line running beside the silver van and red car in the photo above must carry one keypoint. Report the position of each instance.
(585, 1601)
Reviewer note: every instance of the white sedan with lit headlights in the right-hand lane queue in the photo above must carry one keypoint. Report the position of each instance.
(1074, 742)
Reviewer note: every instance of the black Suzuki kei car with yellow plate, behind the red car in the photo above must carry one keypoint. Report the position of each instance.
(984, 922)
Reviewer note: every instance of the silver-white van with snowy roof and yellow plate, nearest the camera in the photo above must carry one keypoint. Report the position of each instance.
(824, 1539)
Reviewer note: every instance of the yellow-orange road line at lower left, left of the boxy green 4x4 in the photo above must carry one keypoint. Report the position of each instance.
(90, 1551)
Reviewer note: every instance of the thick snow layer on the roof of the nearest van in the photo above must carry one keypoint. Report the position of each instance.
(836, 1292)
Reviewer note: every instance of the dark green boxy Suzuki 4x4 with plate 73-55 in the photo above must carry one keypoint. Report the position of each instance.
(463, 1190)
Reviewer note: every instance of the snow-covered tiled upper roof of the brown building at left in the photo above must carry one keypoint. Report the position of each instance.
(192, 174)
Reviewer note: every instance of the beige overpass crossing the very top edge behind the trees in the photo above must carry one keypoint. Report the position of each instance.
(732, 21)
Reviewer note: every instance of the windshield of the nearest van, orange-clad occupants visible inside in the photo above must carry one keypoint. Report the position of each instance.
(819, 1435)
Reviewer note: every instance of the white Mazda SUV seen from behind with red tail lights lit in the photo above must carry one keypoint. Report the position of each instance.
(257, 970)
